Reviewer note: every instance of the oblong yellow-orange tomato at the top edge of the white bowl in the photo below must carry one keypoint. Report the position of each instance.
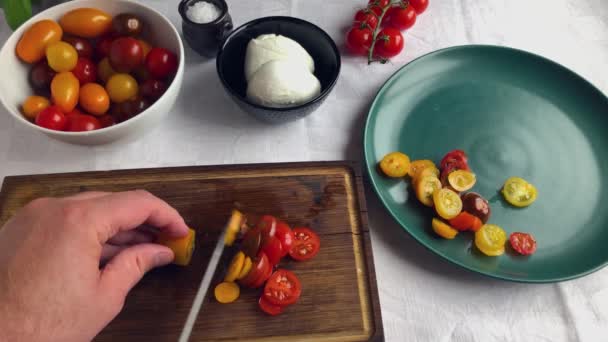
(86, 22)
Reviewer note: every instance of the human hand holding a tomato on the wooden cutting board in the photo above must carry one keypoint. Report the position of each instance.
(67, 264)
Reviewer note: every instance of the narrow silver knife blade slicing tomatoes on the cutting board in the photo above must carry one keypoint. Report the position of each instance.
(204, 287)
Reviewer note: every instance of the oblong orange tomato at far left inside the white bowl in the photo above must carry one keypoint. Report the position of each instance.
(31, 48)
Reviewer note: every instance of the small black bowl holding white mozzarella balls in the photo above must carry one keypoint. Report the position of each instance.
(230, 64)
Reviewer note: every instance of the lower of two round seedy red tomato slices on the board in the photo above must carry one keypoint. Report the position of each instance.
(283, 288)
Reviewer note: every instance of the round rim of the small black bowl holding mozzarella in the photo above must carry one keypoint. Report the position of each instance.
(254, 22)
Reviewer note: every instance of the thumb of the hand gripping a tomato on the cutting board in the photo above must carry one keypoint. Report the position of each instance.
(127, 268)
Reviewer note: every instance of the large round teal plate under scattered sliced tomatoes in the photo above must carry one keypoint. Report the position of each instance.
(515, 114)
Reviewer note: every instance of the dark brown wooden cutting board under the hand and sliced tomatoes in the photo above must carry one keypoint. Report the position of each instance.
(339, 299)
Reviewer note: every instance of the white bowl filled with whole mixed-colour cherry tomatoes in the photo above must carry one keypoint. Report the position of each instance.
(15, 87)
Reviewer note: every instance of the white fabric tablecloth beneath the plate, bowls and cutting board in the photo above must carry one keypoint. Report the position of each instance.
(423, 297)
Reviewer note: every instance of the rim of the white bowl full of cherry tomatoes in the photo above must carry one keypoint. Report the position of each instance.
(102, 131)
